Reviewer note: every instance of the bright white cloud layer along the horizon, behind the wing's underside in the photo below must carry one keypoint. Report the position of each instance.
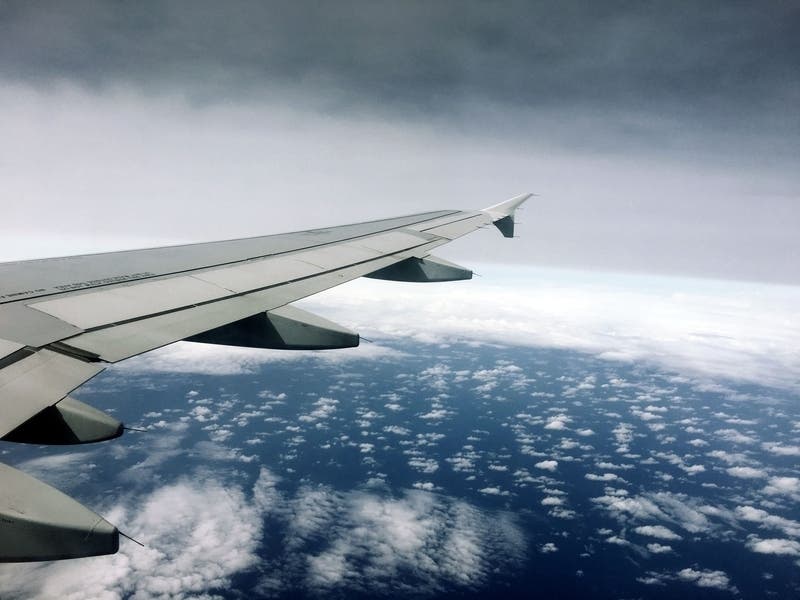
(718, 332)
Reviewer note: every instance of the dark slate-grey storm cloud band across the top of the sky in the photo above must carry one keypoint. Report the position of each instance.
(729, 62)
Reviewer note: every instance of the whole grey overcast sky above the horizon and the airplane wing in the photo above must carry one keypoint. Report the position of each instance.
(661, 137)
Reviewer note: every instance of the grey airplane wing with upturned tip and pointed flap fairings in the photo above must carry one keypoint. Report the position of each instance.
(63, 320)
